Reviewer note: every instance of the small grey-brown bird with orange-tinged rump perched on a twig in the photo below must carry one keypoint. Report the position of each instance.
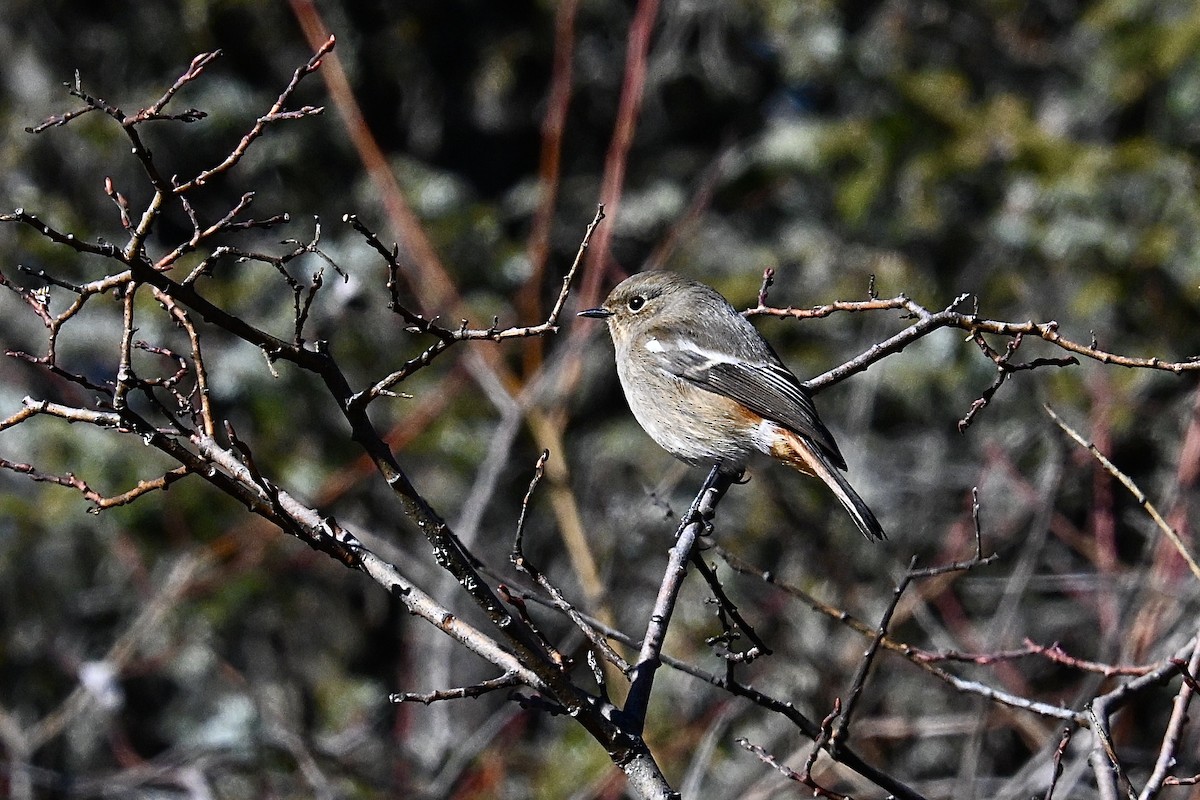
(710, 389)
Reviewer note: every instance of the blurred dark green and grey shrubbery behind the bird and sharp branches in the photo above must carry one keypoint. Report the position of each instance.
(1041, 157)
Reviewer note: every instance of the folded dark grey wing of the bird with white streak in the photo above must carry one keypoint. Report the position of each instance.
(766, 388)
